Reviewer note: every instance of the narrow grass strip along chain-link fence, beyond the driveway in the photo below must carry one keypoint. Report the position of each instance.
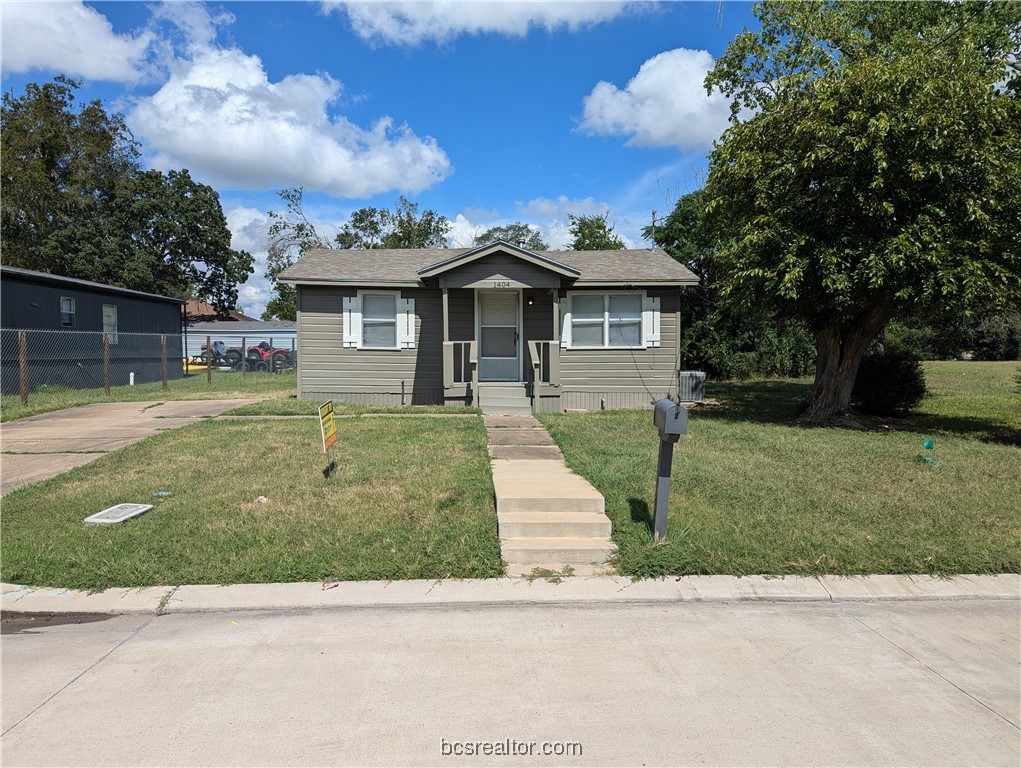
(226, 386)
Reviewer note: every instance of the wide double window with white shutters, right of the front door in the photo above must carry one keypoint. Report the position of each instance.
(611, 320)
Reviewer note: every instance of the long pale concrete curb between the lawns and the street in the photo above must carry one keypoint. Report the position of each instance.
(507, 592)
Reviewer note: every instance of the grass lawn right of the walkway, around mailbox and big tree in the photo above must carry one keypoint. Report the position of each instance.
(754, 493)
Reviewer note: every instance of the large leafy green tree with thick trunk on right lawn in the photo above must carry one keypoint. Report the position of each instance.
(881, 169)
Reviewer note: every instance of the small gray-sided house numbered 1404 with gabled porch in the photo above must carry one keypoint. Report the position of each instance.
(572, 329)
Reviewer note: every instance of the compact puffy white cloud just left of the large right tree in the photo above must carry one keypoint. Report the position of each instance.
(665, 105)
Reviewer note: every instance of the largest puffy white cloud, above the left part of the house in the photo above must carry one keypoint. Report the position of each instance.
(220, 116)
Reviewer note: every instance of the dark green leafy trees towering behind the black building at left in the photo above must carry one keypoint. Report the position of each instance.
(78, 203)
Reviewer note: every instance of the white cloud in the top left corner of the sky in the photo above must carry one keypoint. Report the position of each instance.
(72, 38)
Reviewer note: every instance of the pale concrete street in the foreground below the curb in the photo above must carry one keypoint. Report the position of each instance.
(852, 684)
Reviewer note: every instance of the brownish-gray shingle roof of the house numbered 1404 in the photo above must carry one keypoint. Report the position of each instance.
(408, 267)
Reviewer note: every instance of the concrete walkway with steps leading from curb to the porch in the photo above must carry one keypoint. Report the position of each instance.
(550, 518)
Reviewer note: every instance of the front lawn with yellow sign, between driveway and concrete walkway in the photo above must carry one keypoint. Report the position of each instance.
(413, 499)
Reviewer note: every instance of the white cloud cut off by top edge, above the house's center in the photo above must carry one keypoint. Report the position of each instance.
(414, 23)
